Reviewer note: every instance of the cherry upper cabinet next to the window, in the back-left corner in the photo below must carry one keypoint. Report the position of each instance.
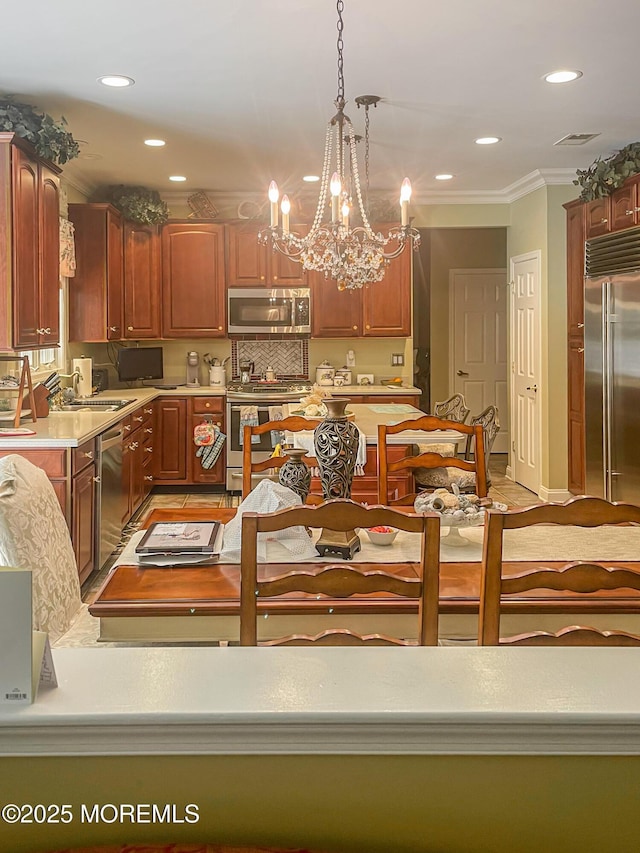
(95, 299)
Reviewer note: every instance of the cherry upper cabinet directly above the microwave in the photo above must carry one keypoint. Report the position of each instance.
(250, 264)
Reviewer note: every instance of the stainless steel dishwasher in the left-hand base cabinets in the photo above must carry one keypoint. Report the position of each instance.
(111, 498)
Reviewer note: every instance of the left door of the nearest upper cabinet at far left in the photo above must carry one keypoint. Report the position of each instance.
(26, 287)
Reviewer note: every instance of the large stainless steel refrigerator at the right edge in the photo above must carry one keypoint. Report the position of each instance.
(612, 386)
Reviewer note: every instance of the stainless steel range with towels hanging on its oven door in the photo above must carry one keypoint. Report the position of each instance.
(267, 397)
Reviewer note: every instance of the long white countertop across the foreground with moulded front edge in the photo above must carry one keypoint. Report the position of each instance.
(454, 700)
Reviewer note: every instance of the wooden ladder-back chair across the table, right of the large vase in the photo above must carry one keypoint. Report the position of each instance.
(428, 459)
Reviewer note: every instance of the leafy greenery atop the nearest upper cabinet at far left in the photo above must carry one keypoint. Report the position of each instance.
(50, 138)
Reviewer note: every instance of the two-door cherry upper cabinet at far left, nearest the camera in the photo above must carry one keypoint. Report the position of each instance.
(29, 247)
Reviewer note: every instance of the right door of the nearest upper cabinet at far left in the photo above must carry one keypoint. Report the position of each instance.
(49, 243)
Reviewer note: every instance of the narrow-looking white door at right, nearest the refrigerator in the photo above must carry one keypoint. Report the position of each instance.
(525, 350)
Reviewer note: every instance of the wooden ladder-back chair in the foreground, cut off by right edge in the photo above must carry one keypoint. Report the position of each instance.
(576, 577)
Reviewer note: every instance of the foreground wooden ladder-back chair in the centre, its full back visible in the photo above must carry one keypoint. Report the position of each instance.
(344, 580)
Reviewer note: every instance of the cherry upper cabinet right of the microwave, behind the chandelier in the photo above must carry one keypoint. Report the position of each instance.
(383, 309)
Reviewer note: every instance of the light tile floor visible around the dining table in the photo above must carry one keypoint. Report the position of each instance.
(502, 490)
